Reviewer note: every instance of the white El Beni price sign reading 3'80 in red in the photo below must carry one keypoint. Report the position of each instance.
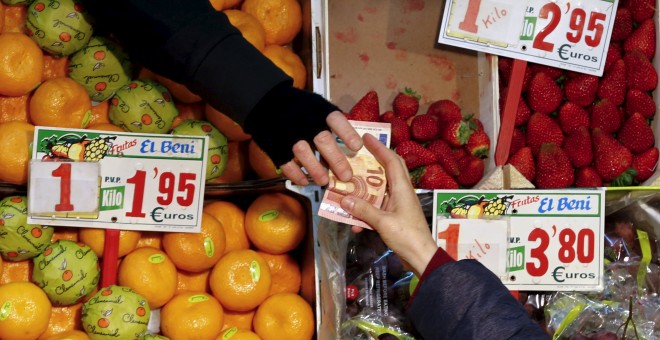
(535, 240)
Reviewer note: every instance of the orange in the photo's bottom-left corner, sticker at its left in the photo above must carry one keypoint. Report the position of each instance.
(25, 311)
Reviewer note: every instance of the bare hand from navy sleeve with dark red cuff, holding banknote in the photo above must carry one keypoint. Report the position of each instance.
(400, 221)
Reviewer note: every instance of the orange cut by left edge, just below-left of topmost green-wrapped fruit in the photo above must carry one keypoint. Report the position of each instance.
(21, 64)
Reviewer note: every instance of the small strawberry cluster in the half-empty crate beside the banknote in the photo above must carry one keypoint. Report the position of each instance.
(442, 148)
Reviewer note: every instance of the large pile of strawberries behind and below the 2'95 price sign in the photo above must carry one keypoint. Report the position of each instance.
(579, 130)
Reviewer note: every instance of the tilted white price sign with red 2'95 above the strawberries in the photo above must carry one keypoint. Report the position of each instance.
(572, 35)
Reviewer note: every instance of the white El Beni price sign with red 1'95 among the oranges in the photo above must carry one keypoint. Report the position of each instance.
(117, 180)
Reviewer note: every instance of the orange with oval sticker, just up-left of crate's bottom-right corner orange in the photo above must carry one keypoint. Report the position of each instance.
(240, 280)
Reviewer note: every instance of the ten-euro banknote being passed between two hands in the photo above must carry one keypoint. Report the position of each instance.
(369, 181)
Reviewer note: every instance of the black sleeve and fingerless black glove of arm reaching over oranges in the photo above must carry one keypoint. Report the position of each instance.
(191, 43)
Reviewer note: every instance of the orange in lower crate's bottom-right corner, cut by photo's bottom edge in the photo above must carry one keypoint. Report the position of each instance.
(284, 316)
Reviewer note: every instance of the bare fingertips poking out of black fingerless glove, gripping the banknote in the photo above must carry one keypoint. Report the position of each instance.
(327, 146)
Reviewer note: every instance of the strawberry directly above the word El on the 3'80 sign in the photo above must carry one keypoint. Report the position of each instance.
(553, 168)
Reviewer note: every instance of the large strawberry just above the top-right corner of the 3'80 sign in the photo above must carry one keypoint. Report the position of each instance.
(610, 157)
